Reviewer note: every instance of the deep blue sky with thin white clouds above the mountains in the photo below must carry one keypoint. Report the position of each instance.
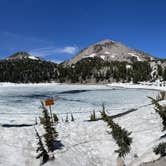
(58, 29)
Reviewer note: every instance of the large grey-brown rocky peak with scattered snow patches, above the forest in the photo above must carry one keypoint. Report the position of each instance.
(109, 50)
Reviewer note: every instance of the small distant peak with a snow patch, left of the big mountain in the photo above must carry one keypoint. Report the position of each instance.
(21, 56)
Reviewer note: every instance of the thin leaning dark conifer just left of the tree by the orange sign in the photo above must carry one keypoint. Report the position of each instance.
(43, 153)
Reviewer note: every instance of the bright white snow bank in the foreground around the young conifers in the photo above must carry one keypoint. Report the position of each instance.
(86, 143)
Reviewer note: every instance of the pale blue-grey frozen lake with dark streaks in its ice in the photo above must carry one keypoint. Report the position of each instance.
(20, 103)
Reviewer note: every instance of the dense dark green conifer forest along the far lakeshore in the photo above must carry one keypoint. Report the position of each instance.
(87, 70)
